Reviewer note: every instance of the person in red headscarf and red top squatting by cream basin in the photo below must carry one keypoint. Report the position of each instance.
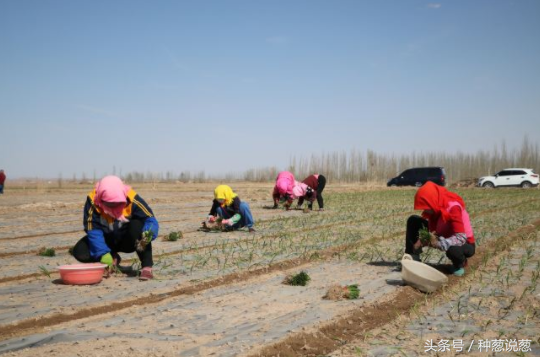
(444, 214)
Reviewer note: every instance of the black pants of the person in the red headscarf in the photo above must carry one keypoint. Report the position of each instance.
(457, 254)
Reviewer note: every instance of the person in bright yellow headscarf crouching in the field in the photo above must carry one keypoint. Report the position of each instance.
(234, 213)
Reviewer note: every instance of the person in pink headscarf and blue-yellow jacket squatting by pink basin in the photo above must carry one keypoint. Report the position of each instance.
(117, 219)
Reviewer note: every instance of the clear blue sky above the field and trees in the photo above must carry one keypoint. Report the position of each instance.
(224, 86)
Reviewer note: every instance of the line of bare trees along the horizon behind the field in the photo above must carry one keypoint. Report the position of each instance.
(370, 166)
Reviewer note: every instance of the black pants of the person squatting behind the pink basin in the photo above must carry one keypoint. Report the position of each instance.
(125, 243)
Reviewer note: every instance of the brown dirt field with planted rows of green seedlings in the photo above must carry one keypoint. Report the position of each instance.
(221, 294)
